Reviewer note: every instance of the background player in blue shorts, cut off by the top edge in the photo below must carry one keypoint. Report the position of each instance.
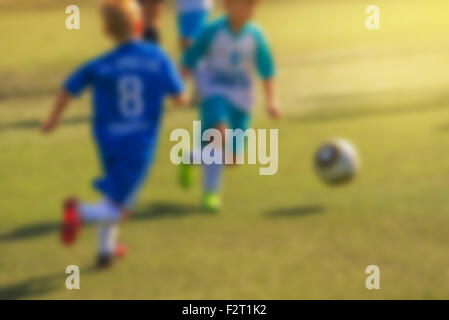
(192, 17)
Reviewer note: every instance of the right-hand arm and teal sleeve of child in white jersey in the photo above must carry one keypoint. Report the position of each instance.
(267, 70)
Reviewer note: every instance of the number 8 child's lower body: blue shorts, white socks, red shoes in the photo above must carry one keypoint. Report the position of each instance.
(124, 171)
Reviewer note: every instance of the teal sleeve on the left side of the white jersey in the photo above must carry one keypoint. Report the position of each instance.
(199, 48)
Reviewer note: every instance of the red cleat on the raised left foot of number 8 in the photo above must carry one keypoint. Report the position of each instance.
(71, 224)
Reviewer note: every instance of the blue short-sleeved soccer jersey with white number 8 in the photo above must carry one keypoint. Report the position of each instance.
(129, 85)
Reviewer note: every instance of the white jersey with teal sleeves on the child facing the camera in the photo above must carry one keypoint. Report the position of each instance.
(225, 62)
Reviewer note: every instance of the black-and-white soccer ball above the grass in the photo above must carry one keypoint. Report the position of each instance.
(337, 162)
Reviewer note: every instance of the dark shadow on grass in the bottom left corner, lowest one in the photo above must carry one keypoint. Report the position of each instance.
(38, 285)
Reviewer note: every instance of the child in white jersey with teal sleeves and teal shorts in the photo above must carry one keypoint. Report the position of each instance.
(230, 50)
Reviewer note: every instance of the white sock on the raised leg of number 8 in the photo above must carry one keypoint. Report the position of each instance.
(101, 211)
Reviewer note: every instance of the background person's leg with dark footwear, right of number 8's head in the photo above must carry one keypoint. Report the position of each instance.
(152, 11)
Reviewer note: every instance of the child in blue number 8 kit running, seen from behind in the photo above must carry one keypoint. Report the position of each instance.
(129, 84)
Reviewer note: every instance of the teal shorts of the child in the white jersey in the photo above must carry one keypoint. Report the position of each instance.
(218, 110)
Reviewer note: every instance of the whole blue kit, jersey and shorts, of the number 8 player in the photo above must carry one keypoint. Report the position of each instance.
(128, 88)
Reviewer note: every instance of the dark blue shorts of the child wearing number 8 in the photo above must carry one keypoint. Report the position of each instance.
(125, 162)
